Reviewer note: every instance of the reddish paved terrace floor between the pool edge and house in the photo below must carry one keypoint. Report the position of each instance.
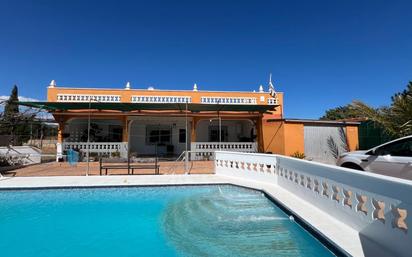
(64, 169)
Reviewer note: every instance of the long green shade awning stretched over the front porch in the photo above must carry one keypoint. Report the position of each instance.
(193, 107)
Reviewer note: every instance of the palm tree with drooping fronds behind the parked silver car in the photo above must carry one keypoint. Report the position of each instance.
(396, 119)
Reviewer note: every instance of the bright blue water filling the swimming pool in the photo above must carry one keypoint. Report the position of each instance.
(149, 221)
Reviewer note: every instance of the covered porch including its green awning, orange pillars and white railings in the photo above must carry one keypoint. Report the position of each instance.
(155, 129)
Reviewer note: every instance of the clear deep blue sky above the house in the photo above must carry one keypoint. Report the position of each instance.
(322, 53)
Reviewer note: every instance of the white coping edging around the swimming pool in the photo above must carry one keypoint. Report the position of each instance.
(30, 183)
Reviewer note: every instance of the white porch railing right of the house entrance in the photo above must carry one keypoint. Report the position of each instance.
(205, 150)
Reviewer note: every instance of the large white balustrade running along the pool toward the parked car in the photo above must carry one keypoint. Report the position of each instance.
(378, 207)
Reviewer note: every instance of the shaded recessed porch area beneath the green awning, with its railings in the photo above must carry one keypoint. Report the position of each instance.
(146, 136)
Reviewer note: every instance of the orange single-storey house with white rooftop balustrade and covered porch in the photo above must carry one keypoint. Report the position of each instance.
(146, 122)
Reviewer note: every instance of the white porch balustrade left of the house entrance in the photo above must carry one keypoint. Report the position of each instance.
(98, 147)
